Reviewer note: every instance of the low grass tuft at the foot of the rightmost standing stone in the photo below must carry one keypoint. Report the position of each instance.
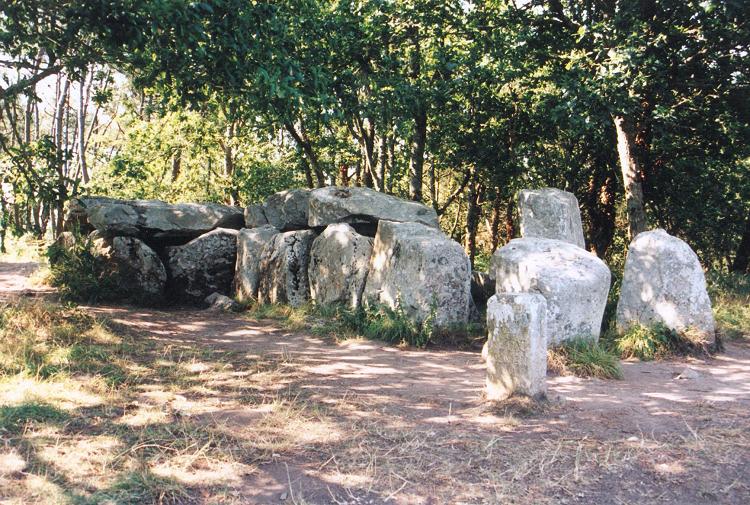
(657, 342)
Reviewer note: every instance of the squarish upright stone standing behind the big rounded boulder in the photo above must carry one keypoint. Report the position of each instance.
(550, 213)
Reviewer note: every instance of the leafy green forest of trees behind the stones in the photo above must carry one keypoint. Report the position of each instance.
(640, 108)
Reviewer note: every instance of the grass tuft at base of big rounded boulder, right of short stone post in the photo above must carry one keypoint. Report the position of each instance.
(584, 358)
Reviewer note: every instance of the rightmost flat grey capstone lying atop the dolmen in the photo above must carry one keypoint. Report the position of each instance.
(364, 206)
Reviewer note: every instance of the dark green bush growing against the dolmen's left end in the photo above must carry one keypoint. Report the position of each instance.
(78, 275)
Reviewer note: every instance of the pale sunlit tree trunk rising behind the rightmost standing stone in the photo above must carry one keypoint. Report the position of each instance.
(631, 176)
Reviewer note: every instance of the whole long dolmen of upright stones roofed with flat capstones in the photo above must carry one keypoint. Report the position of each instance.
(332, 245)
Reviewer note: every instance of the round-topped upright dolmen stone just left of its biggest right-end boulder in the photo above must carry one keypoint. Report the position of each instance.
(339, 261)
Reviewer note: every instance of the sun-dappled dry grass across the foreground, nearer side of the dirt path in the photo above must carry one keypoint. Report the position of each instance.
(183, 424)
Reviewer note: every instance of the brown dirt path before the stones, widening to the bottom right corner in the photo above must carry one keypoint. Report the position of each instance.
(420, 417)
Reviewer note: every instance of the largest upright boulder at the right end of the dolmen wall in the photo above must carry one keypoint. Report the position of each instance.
(419, 269)
